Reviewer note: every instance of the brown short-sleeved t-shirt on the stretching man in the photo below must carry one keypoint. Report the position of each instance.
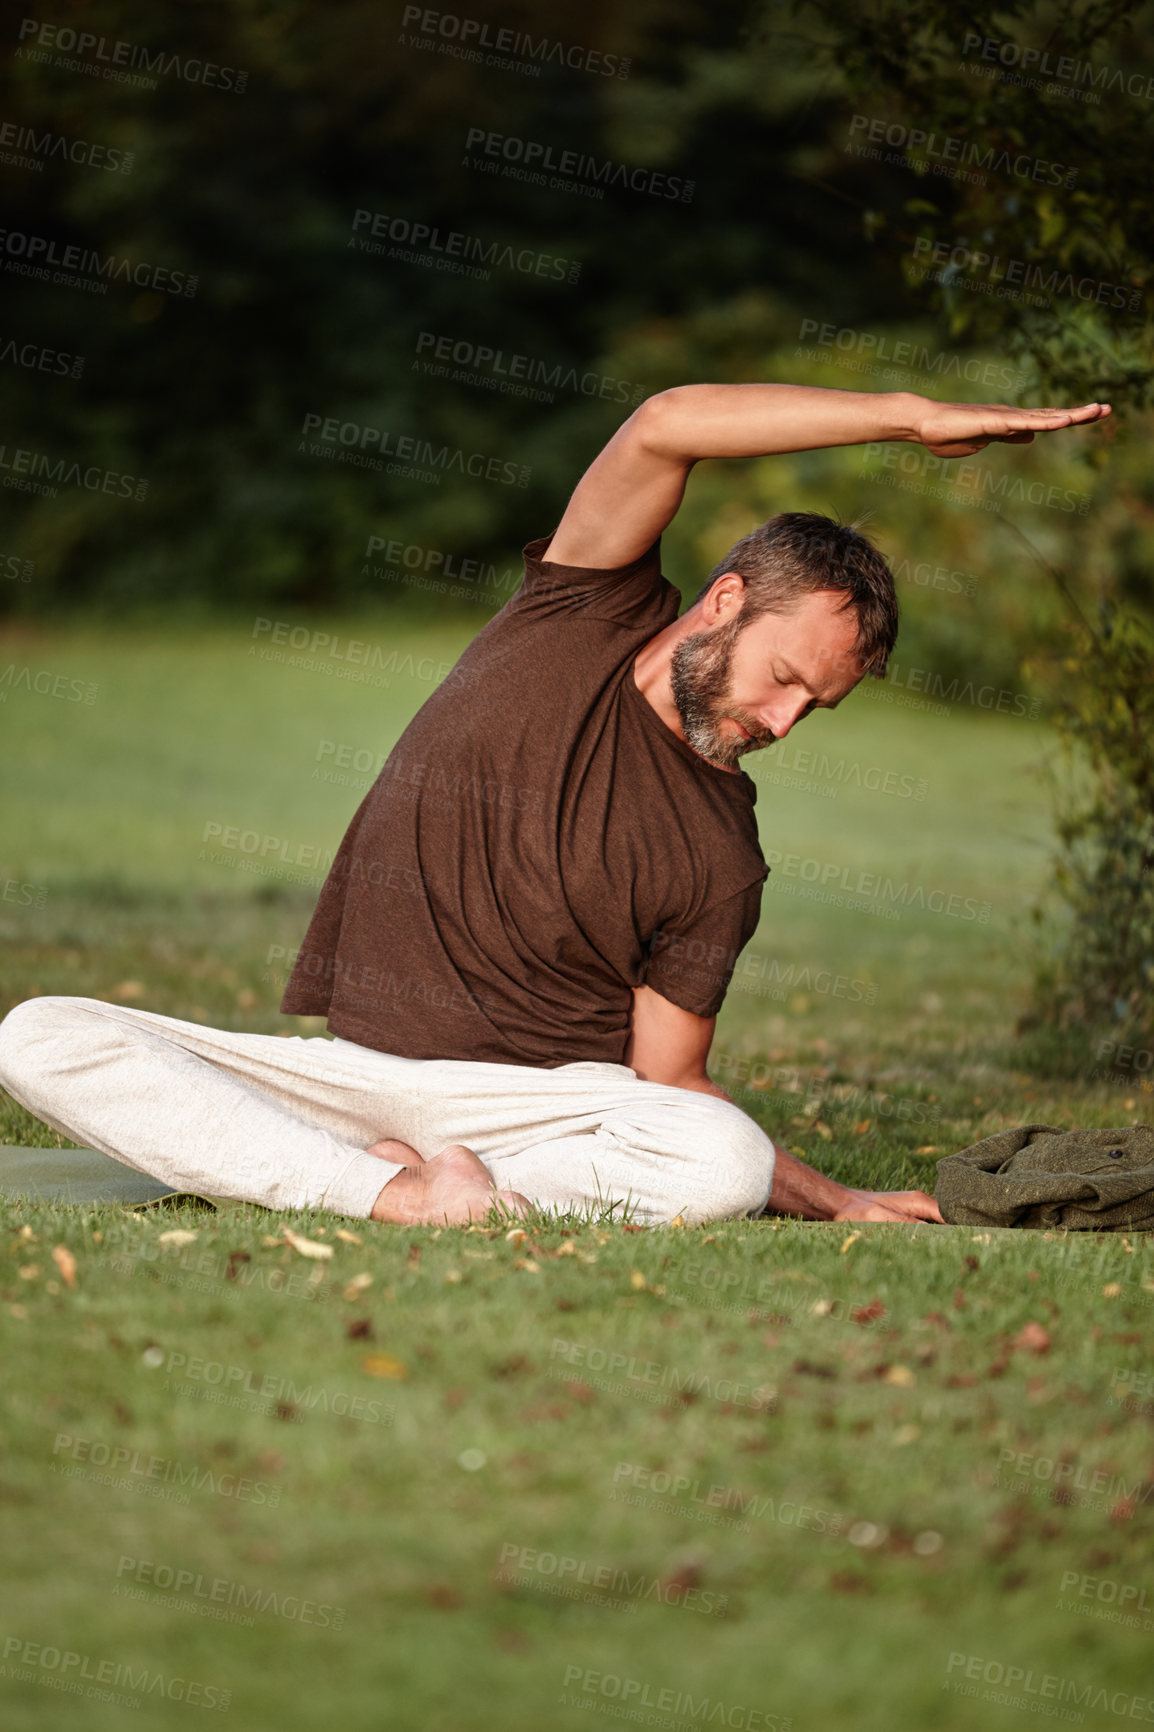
(538, 844)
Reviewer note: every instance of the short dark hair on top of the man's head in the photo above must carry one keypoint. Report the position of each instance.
(798, 553)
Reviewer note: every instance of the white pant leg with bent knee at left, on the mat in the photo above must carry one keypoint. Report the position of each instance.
(275, 1121)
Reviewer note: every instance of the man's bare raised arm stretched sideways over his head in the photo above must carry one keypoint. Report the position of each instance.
(632, 493)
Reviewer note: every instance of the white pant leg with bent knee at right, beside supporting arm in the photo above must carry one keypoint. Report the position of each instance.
(595, 1134)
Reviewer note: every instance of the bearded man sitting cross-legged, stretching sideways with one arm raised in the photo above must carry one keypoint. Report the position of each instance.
(529, 927)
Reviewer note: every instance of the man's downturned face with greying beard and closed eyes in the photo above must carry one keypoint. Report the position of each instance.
(741, 688)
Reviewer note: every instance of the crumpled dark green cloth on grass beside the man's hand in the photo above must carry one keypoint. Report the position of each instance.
(1037, 1175)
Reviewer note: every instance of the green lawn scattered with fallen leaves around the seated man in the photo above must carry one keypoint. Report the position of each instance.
(503, 1418)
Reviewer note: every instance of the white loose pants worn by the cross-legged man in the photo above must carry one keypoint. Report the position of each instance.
(285, 1123)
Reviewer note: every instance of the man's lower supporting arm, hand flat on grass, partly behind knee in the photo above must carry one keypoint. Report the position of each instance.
(671, 1045)
